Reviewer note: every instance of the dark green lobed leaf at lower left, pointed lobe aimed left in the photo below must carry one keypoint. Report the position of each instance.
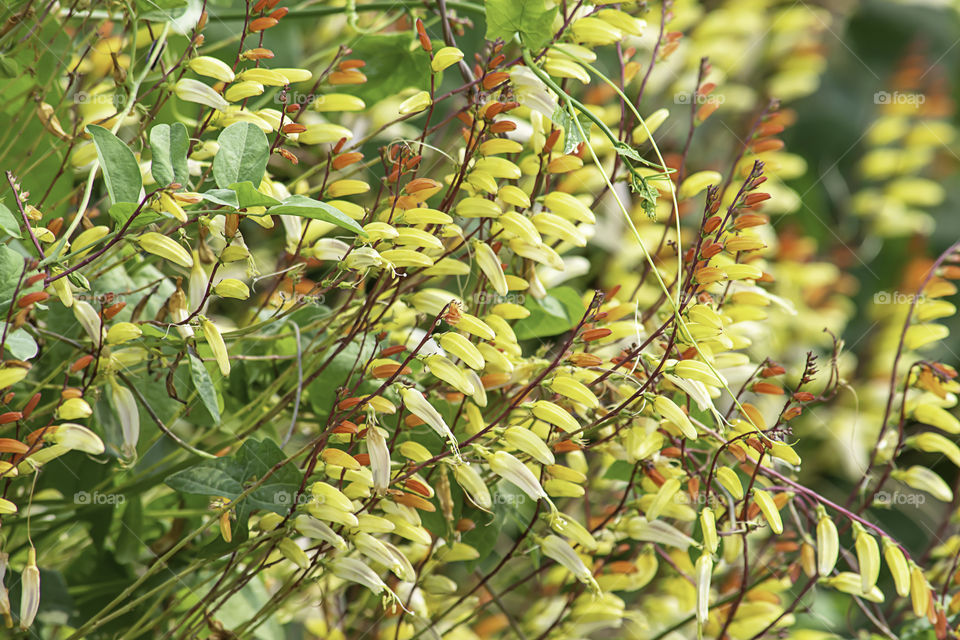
(231, 476)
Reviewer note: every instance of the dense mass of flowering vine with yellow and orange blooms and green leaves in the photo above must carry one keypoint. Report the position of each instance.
(422, 338)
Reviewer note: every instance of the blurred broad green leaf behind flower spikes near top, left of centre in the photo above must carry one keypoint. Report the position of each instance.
(394, 62)
